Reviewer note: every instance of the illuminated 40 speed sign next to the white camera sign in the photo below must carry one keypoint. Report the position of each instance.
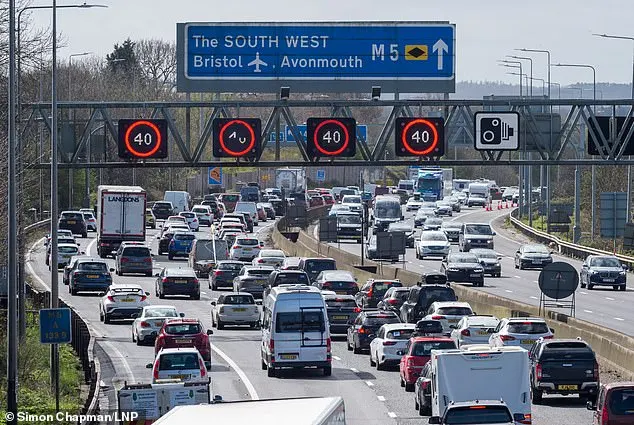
(420, 137)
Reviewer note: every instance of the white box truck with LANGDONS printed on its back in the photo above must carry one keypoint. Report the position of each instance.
(120, 217)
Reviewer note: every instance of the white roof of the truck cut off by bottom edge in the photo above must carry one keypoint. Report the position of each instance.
(297, 411)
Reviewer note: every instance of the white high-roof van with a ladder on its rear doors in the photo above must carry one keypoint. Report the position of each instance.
(295, 330)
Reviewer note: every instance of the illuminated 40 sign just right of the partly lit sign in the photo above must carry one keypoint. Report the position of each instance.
(331, 137)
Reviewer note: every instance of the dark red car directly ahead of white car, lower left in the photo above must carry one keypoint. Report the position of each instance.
(184, 332)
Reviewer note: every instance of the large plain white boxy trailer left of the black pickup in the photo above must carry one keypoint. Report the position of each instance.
(481, 373)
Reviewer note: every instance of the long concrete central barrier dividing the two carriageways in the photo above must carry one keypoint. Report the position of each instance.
(615, 349)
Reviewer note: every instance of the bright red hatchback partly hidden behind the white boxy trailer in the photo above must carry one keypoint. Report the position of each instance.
(418, 352)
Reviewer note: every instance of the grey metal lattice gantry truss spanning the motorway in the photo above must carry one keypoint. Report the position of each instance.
(459, 119)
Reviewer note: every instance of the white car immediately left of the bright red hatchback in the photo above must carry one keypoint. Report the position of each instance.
(391, 339)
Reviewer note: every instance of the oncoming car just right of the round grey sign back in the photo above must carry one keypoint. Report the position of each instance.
(603, 270)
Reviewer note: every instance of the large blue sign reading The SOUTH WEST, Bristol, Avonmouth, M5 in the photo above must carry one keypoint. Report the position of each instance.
(316, 57)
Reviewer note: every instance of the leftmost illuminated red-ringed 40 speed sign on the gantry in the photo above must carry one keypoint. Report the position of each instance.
(142, 139)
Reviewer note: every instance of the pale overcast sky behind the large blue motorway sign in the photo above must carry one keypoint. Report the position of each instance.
(487, 30)
